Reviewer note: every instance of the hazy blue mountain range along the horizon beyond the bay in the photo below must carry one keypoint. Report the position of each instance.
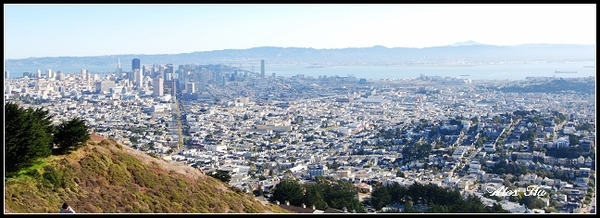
(459, 53)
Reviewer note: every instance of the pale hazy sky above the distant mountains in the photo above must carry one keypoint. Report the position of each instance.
(90, 30)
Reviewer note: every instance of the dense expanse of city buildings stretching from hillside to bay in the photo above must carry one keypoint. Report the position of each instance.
(457, 133)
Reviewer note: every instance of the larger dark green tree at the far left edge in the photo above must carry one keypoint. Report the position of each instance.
(27, 136)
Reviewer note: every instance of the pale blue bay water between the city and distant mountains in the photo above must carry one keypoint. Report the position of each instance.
(478, 72)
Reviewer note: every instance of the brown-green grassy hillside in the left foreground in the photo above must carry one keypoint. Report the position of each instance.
(105, 177)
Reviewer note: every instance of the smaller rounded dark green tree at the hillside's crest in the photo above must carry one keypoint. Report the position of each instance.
(70, 135)
